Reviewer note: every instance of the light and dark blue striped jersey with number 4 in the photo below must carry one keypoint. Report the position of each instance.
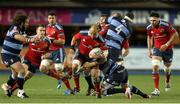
(118, 31)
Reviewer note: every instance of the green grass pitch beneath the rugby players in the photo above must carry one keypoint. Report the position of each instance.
(42, 89)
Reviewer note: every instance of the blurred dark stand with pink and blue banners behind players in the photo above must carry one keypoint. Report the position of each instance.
(76, 15)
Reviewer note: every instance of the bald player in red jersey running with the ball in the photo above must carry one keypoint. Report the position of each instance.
(85, 40)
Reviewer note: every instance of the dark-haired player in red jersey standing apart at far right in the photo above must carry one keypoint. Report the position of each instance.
(161, 34)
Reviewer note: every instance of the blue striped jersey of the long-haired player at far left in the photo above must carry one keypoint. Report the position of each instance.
(10, 44)
